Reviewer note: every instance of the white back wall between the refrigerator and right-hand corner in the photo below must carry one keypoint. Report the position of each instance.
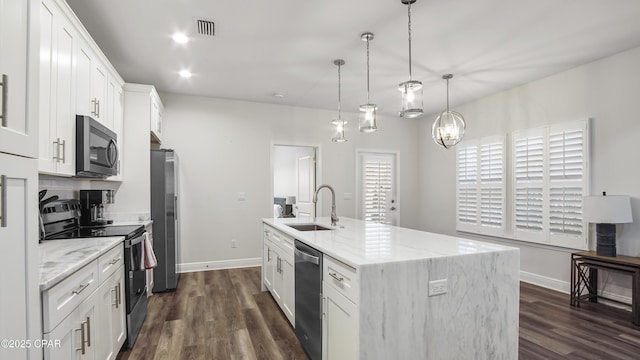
(224, 148)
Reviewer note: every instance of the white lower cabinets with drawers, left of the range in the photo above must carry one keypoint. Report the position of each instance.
(86, 312)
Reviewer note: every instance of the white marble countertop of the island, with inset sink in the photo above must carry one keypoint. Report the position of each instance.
(358, 243)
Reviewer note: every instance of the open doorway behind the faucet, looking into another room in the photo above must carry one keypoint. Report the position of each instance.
(294, 181)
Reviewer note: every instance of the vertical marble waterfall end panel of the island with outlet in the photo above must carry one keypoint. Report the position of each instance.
(476, 319)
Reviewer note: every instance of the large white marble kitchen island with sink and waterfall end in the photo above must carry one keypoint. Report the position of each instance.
(407, 294)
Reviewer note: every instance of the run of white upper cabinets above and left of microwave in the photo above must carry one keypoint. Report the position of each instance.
(75, 78)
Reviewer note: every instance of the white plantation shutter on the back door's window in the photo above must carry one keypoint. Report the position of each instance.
(377, 187)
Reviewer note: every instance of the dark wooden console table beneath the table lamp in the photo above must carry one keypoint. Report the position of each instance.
(584, 278)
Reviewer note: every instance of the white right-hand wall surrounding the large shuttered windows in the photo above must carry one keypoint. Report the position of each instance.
(608, 92)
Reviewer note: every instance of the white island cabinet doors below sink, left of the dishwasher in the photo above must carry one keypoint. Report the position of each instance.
(278, 270)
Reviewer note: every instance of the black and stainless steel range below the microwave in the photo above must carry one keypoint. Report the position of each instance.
(61, 220)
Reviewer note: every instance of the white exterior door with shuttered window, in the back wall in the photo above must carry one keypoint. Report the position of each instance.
(378, 188)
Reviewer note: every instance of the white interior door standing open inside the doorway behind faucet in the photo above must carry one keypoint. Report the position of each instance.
(306, 174)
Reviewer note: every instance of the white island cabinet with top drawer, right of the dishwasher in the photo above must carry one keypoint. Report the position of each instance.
(339, 311)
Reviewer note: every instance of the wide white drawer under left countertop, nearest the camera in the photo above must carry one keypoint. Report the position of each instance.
(63, 298)
